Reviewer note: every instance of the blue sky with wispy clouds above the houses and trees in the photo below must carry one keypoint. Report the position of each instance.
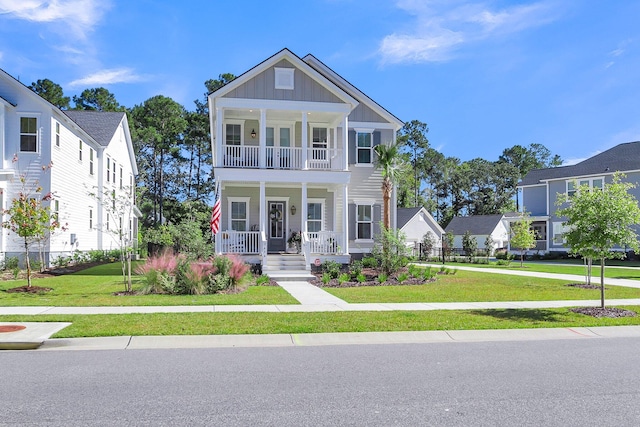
(484, 75)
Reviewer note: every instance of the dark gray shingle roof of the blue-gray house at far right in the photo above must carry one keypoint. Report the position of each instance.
(623, 157)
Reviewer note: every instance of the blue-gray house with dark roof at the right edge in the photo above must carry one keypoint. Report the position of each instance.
(540, 188)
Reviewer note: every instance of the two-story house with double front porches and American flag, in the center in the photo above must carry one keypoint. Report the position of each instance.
(293, 152)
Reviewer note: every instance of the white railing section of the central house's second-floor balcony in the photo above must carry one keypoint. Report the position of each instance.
(293, 158)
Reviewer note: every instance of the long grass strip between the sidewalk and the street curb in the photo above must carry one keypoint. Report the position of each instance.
(290, 323)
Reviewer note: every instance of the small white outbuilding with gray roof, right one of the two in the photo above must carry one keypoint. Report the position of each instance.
(481, 226)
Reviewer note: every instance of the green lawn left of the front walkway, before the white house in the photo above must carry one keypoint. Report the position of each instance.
(95, 287)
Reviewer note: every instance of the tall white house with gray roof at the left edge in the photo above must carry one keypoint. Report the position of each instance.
(90, 152)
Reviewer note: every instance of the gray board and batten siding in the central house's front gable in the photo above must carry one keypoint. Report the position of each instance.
(262, 86)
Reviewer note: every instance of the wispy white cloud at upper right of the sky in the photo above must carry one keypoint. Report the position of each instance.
(440, 27)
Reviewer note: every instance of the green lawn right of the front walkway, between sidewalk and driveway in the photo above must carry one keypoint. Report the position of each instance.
(468, 286)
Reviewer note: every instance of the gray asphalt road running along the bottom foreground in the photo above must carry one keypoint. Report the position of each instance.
(540, 383)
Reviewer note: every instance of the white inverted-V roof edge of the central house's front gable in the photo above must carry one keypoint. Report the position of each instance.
(298, 63)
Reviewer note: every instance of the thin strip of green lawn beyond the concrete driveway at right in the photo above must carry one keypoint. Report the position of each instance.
(614, 272)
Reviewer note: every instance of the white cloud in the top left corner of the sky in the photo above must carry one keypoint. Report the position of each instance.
(79, 16)
